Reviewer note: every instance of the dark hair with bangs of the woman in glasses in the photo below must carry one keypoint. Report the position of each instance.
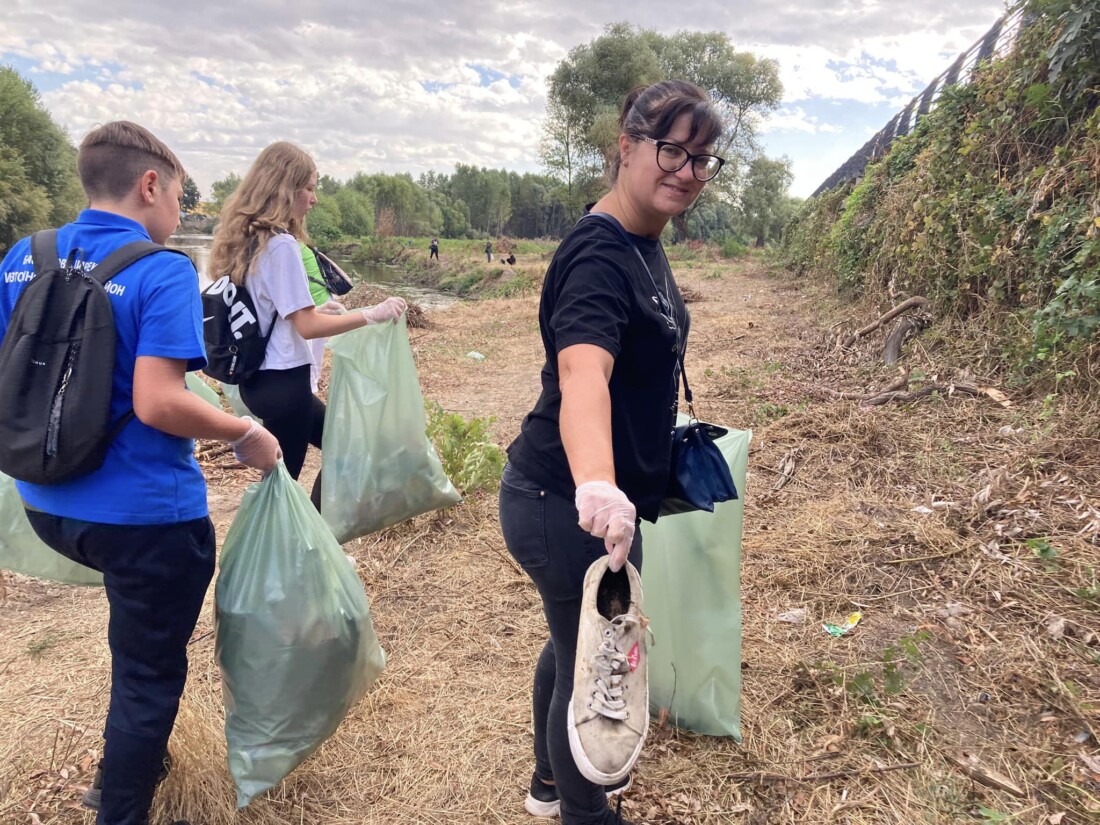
(652, 112)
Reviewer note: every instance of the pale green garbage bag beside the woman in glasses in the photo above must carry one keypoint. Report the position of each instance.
(691, 576)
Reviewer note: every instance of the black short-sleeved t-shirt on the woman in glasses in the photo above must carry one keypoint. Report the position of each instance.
(597, 292)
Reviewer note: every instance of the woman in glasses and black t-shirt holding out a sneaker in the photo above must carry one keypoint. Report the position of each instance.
(593, 456)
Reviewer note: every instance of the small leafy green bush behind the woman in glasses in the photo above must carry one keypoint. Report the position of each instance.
(470, 458)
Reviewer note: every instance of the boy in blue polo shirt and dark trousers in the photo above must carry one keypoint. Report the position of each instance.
(141, 519)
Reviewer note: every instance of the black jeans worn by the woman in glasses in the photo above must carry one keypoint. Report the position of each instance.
(543, 535)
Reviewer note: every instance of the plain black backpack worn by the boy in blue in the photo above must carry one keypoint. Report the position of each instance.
(58, 366)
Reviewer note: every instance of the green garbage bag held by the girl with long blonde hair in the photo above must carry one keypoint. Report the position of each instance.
(379, 466)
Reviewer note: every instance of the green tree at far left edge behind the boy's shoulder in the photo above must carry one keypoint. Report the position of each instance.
(39, 186)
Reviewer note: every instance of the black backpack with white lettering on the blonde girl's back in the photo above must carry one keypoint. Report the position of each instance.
(236, 348)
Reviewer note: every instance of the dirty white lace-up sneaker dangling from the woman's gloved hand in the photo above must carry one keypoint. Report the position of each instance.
(609, 716)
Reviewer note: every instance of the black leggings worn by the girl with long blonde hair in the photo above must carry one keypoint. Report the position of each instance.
(284, 401)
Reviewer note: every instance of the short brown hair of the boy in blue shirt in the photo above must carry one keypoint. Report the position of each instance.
(113, 157)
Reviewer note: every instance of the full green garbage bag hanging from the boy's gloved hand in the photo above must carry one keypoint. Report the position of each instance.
(295, 641)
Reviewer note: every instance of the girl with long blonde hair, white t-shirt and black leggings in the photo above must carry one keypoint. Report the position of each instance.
(257, 245)
